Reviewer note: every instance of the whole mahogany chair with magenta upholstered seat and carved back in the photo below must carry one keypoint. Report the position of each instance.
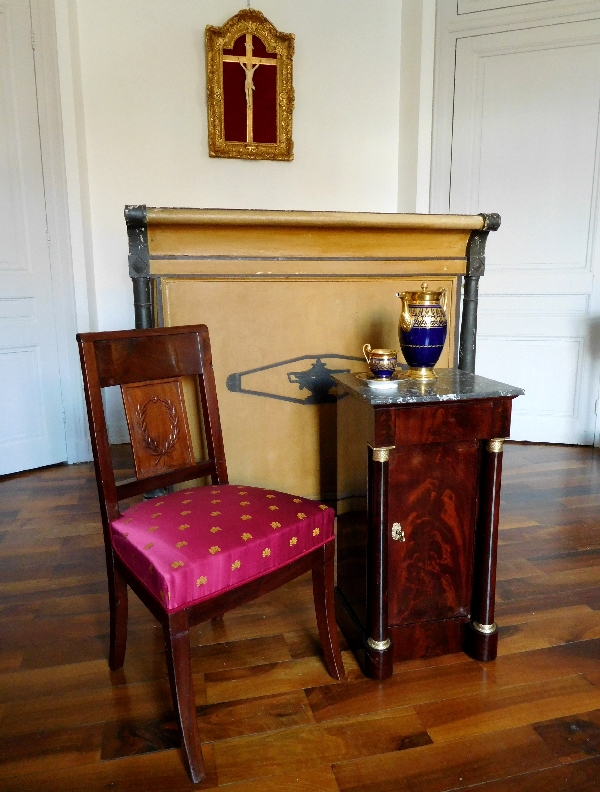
(193, 554)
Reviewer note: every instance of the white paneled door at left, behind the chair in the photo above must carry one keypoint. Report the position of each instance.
(32, 431)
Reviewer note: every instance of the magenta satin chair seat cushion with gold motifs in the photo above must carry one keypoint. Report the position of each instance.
(192, 544)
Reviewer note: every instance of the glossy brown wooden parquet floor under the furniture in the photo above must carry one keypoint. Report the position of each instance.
(271, 718)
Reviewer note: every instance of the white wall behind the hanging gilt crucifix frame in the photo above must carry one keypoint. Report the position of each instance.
(134, 107)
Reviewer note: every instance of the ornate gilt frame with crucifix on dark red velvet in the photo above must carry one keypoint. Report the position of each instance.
(250, 109)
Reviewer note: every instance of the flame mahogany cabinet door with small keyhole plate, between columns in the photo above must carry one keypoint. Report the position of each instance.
(432, 494)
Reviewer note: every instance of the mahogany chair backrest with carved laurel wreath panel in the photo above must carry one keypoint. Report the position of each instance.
(150, 367)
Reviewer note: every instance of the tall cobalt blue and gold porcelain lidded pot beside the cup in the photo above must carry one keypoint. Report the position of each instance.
(422, 330)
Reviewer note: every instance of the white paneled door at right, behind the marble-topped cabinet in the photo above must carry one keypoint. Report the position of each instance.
(525, 143)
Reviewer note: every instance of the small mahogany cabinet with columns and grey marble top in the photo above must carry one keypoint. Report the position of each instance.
(419, 470)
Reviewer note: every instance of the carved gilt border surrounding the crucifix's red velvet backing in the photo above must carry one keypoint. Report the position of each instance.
(249, 21)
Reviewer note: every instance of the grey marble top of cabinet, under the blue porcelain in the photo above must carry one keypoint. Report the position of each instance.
(451, 385)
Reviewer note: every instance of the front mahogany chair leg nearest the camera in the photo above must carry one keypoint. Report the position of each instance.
(177, 646)
